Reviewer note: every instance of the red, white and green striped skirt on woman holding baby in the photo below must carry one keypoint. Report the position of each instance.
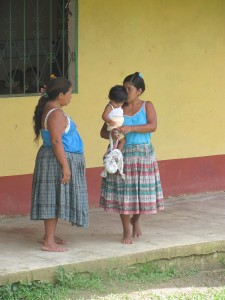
(141, 192)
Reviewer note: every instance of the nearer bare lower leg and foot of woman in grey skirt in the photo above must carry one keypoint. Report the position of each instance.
(49, 243)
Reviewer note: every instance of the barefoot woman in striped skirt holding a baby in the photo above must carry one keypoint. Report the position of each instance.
(141, 192)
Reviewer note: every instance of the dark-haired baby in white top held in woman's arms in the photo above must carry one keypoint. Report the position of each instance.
(113, 112)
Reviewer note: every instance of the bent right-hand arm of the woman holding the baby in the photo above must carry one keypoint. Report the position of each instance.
(151, 126)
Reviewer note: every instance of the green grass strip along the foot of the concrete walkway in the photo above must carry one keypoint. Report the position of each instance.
(123, 284)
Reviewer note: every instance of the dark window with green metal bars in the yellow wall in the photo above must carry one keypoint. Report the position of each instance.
(37, 39)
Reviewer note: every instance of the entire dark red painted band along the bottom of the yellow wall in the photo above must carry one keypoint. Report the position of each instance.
(178, 176)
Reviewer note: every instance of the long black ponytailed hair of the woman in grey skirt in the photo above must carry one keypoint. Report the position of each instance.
(54, 87)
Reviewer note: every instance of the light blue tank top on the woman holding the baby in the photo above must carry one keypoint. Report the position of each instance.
(137, 138)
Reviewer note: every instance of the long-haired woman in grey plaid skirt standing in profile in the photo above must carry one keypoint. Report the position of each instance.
(59, 183)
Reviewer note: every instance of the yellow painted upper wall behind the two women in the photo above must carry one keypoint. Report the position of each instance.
(179, 48)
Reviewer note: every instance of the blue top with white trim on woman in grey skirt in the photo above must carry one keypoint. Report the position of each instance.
(71, 139)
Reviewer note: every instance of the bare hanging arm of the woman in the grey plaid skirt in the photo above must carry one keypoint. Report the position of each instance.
(56, 125)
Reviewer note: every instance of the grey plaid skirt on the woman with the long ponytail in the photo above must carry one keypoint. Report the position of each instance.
(51, 198)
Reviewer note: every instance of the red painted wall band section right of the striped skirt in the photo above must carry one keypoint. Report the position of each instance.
(192, 175)
